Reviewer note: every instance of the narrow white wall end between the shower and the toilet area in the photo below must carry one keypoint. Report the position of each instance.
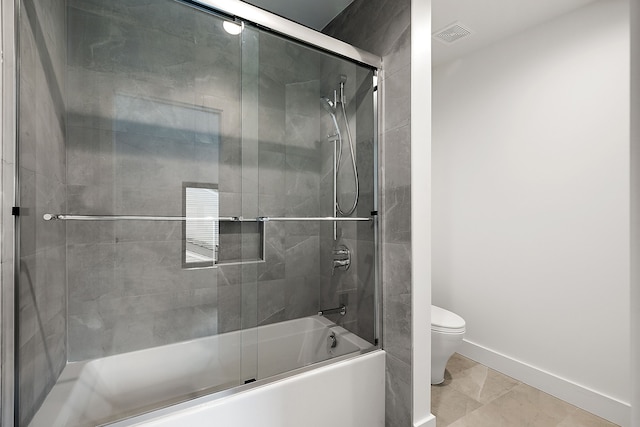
(420, 209)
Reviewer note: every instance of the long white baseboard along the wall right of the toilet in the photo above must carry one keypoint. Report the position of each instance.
(590, 400)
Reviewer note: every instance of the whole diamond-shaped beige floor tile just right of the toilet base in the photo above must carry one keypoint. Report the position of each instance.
(481, 383)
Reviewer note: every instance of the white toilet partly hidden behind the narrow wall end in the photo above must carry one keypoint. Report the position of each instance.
(447, 331)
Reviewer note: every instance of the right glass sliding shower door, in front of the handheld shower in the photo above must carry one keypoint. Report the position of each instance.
(305, 164)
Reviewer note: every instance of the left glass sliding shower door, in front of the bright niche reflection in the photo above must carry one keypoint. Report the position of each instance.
(136, 265)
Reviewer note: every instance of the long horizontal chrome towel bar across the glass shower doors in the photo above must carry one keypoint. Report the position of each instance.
(66, 217)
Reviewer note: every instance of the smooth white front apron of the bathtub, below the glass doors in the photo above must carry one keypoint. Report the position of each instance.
(349, 393)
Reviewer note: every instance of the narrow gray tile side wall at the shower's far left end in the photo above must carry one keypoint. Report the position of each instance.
(42, 289)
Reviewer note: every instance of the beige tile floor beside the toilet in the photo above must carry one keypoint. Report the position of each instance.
(473, 395)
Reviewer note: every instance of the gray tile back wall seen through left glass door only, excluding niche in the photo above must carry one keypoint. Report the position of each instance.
(146, 82)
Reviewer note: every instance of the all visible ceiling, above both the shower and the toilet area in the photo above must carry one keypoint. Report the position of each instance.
(488, 20)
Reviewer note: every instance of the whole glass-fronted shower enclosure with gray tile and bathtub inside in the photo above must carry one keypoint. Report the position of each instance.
(194, 190)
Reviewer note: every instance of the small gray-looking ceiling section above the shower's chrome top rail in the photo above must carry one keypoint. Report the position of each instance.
(311, 13)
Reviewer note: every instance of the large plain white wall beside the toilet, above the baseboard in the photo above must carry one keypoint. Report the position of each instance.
(531, 199)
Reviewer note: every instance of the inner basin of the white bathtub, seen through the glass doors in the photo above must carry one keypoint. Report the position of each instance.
(202, 371)
